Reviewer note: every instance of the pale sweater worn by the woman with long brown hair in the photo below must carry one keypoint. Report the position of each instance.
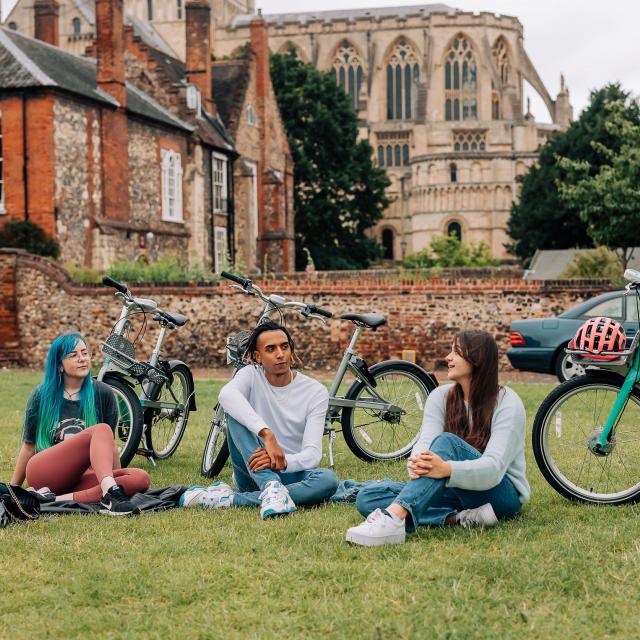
(503, 455)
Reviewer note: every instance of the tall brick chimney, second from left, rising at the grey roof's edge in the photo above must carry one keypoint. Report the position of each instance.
(110, 74)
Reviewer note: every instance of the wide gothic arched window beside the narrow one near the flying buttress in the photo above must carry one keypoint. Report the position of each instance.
(460, 81)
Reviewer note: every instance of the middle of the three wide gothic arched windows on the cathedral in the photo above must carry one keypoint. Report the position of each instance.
(403, 76)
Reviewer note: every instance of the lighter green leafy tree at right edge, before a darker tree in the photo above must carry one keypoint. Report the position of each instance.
(607, 197)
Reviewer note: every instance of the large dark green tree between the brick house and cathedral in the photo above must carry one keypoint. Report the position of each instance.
(338, 193)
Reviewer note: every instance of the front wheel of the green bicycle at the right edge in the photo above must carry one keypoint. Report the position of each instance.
(569, 420)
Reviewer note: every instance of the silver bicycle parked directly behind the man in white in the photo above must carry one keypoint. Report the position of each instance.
(381, 412)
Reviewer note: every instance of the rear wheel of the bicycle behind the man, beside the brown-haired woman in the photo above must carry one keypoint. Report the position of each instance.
(404, 384)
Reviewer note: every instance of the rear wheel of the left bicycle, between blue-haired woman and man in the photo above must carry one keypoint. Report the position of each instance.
(164, 428)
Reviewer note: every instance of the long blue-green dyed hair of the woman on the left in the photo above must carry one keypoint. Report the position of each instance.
(51, 392)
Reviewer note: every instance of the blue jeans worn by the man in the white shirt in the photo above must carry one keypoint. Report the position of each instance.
(309, 487)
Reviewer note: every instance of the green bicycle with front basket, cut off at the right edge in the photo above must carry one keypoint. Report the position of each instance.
(586, 433)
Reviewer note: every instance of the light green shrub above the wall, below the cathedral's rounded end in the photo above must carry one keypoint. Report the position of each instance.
(448, 251)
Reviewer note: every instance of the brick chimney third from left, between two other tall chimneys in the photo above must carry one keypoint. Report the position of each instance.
(198, 49)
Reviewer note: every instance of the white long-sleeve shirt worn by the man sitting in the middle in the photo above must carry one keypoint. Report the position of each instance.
(295, 413)
